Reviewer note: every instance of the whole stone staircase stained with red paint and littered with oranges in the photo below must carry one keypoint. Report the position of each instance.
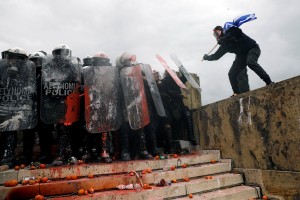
(201, 179)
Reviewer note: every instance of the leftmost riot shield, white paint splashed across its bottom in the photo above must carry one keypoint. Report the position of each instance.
(18, 106)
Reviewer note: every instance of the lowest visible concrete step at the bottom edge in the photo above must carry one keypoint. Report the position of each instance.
(241, 192)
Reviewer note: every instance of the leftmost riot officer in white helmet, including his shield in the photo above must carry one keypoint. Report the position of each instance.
(17, 105)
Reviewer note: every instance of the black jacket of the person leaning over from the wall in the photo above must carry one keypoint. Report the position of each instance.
(234, 41)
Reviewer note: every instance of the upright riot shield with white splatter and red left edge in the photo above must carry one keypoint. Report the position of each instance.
(102, 102)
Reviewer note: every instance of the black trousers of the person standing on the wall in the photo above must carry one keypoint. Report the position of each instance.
(241, 62)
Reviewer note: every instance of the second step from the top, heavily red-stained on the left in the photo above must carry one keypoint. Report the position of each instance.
(109, 182)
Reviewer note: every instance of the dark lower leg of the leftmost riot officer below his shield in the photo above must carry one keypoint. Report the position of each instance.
(8, 156)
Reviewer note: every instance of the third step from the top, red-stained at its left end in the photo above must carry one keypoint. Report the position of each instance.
(174, 190)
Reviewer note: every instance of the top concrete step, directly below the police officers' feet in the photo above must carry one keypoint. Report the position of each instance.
(111, 168)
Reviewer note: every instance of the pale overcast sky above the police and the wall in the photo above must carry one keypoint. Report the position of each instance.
(150, 27)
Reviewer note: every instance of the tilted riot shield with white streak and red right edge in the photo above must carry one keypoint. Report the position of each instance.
(135, 97)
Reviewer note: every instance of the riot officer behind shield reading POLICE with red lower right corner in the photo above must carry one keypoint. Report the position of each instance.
(60, 101)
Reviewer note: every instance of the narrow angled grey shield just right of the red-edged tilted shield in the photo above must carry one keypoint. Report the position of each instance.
(154, 90)
